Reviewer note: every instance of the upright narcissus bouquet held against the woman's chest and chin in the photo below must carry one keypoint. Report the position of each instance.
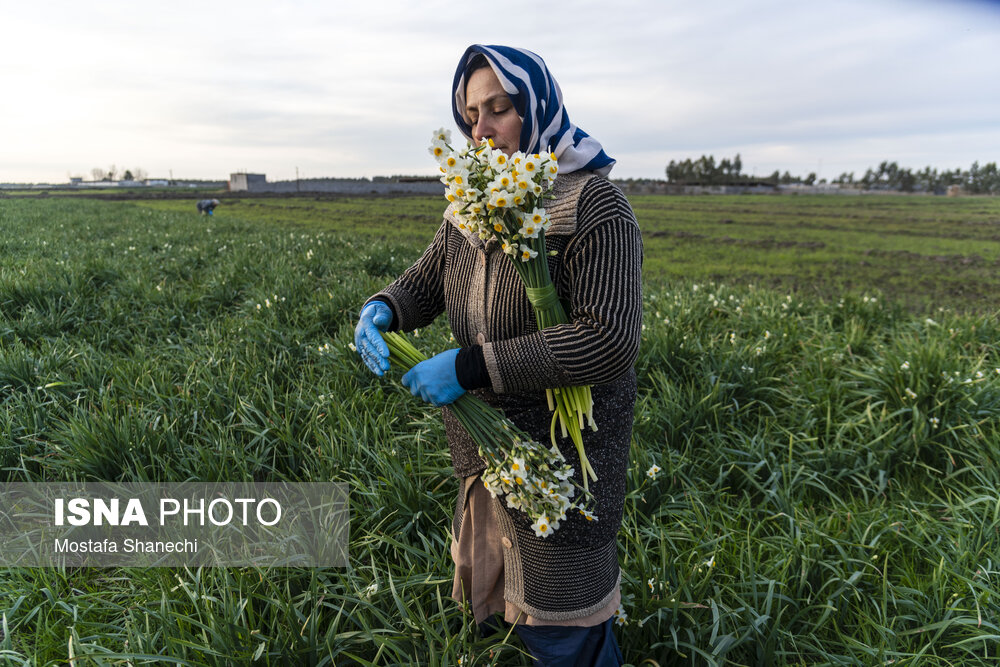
(499, 196)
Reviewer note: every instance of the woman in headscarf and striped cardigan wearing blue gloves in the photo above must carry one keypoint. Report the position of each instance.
(562, 591)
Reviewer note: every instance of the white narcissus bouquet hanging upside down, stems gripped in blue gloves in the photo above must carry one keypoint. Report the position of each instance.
(534, 479)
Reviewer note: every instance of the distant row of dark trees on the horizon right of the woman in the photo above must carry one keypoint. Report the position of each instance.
(705, 170)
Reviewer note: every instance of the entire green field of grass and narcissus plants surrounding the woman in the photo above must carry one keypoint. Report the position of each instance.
(829, 493)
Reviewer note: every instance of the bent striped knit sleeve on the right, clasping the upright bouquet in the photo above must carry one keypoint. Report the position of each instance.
(602, 278)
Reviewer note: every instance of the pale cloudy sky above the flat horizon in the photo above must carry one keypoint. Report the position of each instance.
(354, 89)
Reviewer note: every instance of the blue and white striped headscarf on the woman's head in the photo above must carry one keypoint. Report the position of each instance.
(545, 125)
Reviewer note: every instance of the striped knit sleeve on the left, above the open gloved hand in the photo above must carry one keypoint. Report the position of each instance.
(417, 296)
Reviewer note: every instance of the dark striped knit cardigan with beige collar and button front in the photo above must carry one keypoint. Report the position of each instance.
(597, 274)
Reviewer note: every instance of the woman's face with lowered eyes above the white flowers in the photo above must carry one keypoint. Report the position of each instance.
(490, 113)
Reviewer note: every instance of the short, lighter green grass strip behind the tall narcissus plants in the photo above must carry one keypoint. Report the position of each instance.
(922, 251)
